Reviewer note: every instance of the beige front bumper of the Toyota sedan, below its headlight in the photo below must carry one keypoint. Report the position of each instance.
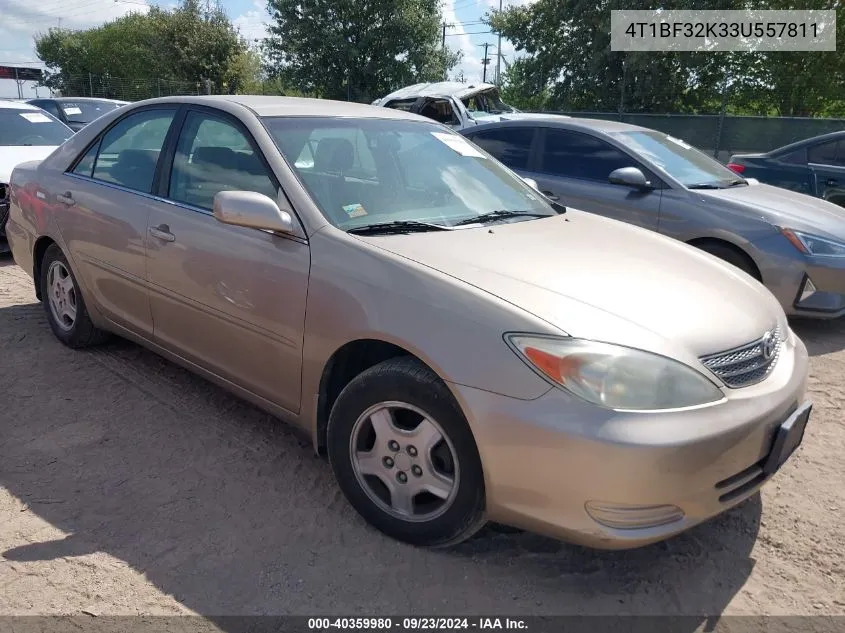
(553, 464)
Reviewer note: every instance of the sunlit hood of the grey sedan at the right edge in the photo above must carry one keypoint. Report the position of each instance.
(782, 207)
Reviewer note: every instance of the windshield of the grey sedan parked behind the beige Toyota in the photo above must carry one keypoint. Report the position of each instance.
(680, 160)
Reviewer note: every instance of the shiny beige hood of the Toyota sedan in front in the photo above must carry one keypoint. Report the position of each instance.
(597, 278)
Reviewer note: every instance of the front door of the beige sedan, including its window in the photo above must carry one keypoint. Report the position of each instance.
(228, 298)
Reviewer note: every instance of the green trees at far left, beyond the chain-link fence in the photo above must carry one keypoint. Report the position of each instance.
(191, 43)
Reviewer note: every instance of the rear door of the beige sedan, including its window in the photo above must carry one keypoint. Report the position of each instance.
(102, 205)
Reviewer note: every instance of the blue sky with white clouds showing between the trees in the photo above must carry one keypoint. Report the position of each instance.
(23, 19)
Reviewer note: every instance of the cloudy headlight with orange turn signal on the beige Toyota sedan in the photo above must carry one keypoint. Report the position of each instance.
(616, 377)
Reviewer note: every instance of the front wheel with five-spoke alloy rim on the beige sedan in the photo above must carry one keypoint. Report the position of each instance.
(404, 456)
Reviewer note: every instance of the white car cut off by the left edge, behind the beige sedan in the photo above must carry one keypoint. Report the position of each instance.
(26, 133)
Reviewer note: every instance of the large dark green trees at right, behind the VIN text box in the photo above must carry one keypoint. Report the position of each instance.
(566, 47)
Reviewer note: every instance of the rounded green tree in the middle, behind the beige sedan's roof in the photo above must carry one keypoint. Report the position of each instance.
(356, 49)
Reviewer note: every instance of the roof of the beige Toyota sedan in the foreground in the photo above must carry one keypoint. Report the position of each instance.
(266, 106)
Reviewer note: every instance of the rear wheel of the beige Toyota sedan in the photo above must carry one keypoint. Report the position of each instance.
(63, 302)
